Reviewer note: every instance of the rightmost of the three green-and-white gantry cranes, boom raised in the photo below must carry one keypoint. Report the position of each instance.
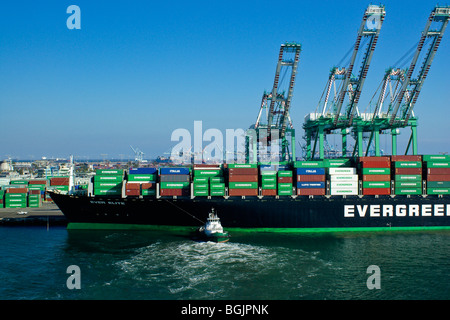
(404, 86)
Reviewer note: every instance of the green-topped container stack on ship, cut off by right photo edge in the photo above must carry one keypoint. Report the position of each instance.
(437, 173)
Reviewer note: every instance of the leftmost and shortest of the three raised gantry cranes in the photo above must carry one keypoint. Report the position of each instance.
(273, 124)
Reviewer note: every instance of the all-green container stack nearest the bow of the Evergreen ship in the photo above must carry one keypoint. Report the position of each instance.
(108, 182)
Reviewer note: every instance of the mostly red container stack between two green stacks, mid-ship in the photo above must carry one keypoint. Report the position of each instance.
(243, 179)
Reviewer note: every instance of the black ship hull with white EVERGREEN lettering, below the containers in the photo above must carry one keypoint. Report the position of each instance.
(269, 213)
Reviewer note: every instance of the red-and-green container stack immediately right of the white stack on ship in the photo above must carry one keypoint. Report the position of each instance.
(376, 175)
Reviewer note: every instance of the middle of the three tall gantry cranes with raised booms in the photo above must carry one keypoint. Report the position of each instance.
(330, 118)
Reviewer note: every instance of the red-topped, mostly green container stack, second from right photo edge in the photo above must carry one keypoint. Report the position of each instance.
(407, 174)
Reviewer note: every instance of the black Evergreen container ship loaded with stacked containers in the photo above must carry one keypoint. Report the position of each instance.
(369, 193)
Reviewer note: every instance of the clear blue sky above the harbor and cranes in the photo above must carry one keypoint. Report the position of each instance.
(137, 70)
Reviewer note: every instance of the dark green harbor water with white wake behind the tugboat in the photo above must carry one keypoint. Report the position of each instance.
(170, 266)
